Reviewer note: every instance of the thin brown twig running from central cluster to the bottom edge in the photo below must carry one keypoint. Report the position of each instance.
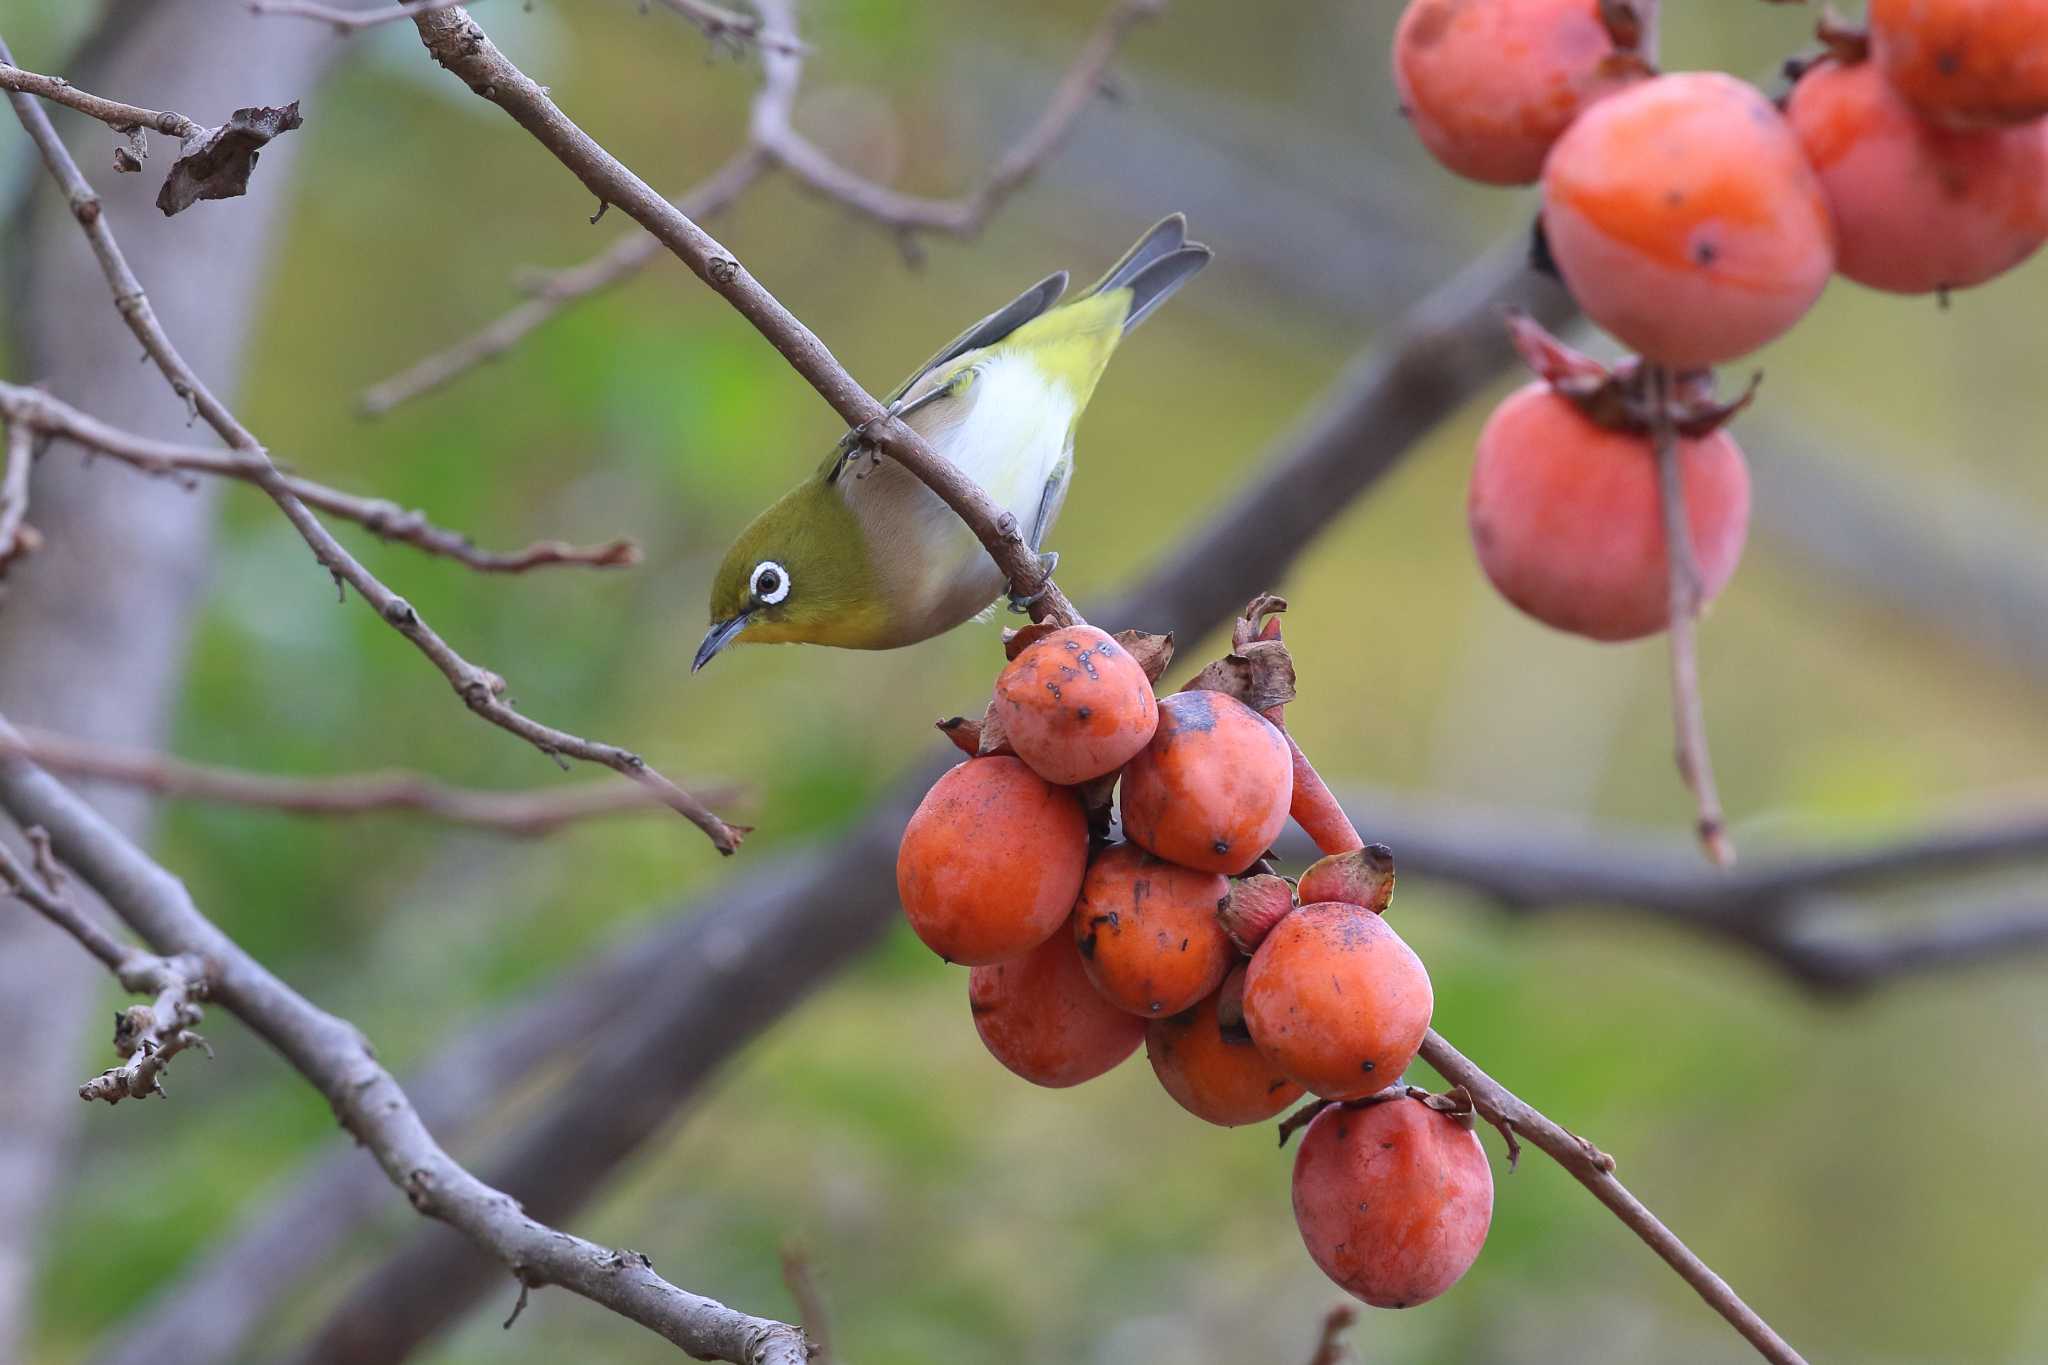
(1596, 1172)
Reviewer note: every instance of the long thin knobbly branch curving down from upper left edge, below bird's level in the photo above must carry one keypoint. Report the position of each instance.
(480, 689)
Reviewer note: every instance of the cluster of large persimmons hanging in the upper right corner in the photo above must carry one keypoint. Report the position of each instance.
(1697, 220)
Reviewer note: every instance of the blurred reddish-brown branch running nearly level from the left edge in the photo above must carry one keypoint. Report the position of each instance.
(513, 813)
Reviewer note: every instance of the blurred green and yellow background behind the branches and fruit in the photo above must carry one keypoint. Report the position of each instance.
(1871, 1176)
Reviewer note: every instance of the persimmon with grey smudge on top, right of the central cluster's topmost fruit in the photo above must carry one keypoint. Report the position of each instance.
(1211, 791)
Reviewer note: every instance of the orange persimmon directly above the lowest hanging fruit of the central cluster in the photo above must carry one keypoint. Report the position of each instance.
(1338, 1002)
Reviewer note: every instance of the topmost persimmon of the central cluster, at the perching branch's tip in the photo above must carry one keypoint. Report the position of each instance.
(1076, 705)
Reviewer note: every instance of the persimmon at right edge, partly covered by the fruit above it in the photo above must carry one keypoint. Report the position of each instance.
(1918, 208)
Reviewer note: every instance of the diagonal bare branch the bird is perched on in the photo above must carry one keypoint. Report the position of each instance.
(460, 46)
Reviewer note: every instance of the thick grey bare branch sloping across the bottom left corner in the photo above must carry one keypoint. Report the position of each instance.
(368, 1100)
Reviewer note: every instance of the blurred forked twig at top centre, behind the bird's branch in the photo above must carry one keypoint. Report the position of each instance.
(775, 142)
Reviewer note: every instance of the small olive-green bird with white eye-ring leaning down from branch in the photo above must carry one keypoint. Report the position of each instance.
(863, 556)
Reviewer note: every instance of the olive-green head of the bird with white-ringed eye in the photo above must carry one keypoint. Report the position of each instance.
(798, 574)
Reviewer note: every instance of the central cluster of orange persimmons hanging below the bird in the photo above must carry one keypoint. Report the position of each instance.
(1246, 987)
